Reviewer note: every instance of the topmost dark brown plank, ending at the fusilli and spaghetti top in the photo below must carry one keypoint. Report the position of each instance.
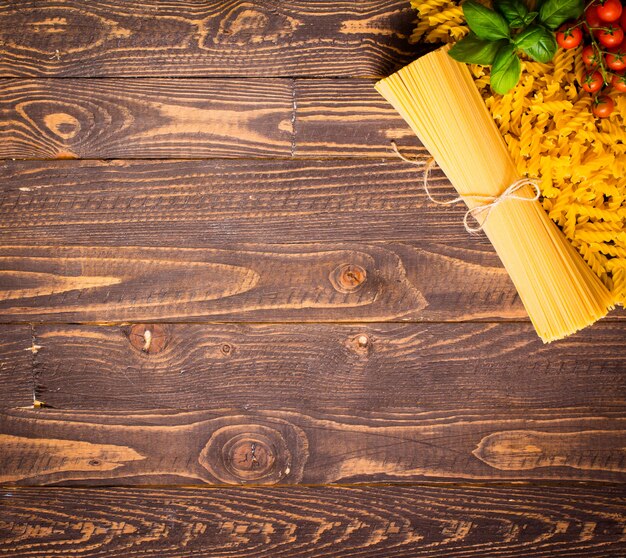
(208, 38)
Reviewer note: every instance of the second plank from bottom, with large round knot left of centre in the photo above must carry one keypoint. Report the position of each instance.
(267, 446)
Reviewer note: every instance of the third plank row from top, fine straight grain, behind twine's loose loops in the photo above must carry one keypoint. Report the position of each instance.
(221, 202)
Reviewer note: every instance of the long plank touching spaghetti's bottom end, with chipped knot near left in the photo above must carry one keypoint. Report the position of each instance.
(445, 368)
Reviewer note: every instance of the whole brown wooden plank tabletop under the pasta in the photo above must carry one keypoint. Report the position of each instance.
(233, 325)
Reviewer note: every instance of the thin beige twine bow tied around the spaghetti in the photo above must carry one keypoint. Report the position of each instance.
(480, 213)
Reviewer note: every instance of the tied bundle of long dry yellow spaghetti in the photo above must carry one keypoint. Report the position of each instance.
(559, 290)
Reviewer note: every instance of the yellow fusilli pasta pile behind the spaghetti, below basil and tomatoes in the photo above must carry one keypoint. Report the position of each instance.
(553, 137)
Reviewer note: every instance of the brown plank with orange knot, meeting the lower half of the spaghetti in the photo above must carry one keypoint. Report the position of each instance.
(296, 282)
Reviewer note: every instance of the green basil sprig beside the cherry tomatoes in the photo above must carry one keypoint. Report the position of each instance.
(498, 36)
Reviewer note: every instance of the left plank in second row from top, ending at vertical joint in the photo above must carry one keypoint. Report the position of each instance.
(108, 118)
